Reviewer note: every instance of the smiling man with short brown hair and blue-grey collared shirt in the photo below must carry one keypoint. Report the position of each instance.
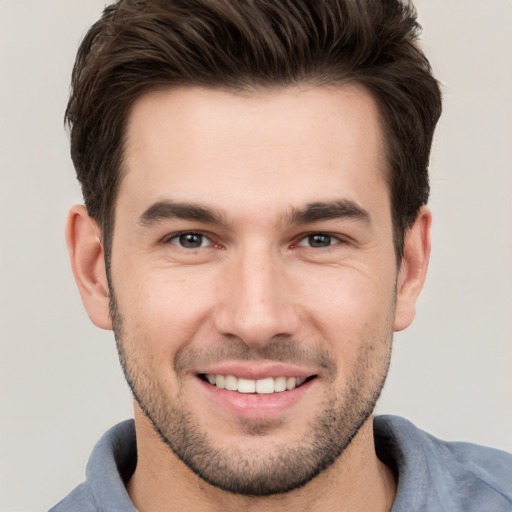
(254, 231)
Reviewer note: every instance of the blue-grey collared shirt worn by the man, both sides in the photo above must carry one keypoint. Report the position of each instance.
(433, 475)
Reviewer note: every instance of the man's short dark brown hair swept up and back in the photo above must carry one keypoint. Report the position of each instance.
(139, 45)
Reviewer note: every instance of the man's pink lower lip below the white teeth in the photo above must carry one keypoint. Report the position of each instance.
(253, 405)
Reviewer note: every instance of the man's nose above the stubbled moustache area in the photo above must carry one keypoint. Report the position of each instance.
(256, 301)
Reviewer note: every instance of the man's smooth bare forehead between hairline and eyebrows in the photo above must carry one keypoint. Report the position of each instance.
(285, 146)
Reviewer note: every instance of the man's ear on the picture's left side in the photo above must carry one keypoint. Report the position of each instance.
(88, 264)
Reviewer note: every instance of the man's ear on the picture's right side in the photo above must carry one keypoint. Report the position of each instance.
(413, 269)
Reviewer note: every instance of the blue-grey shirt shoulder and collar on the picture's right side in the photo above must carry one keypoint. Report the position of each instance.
(454, 475)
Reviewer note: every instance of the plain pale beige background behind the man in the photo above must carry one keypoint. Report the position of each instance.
(60, 385)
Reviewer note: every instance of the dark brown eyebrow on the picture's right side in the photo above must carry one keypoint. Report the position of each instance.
(339, 209)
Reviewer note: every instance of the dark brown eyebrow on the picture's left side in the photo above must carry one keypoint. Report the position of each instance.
(164, 210)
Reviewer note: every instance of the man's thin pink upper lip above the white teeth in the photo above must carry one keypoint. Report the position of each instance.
(255, 370)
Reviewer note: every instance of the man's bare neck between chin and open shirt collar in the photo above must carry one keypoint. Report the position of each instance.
(357, 481)
